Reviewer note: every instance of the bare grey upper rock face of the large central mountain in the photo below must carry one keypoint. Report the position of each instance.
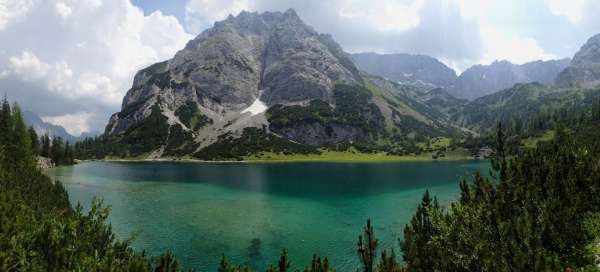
(225, 69)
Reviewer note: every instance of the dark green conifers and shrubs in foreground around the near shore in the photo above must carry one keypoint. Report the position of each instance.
(538, 211)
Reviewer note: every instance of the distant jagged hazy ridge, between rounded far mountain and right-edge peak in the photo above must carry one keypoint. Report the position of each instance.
(482, 80)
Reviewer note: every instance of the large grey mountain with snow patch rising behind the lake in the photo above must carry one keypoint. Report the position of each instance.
(263, 82)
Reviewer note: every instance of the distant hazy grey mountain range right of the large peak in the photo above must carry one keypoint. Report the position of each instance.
(477, 81)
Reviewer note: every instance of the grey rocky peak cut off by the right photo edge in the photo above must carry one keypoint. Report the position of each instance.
(584, 70)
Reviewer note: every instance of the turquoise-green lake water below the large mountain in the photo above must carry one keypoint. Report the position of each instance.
(250, 212)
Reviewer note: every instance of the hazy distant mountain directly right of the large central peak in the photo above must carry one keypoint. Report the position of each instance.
(419, 70)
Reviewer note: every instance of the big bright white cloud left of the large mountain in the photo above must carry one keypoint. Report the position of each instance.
(82, 50)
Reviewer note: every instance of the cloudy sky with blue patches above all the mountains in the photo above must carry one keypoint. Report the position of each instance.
(72, 61)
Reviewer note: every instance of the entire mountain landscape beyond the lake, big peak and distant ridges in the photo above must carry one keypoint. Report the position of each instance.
(267, 83)
